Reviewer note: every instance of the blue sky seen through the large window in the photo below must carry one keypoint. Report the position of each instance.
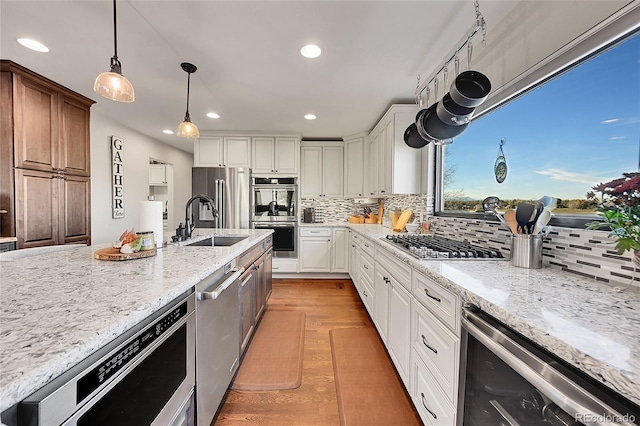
(576, 131)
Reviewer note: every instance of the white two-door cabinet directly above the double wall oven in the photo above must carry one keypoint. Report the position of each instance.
(275, 155)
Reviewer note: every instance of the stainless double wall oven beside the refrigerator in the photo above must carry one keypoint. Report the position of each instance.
(274, 205)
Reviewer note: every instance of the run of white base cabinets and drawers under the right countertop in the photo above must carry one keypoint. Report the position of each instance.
(418, 320)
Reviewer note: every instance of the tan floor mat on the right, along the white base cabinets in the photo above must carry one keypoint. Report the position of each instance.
(369, 390)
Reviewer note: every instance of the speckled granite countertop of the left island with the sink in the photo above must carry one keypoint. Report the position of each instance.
(59, 305)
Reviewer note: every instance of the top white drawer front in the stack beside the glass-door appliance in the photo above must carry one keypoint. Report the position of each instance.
(441, 302)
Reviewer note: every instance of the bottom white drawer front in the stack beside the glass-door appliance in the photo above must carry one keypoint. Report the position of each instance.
(431, 403)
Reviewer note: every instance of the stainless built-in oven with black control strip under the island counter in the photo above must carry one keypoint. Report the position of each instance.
(146, 377)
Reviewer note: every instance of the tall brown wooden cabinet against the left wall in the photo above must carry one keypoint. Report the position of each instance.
(45, 178)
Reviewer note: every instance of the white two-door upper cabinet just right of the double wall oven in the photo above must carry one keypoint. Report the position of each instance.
(322, 170)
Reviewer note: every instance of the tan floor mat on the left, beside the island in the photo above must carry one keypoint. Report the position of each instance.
(273, 360)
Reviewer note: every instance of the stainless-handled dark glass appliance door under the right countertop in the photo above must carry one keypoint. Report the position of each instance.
(508, 380)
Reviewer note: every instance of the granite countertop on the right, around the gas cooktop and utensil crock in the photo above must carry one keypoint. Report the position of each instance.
(584, 322)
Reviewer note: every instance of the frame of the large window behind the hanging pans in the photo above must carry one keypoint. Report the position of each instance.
(609, 33)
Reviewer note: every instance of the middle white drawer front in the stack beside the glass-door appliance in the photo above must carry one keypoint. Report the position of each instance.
(438, 347)
